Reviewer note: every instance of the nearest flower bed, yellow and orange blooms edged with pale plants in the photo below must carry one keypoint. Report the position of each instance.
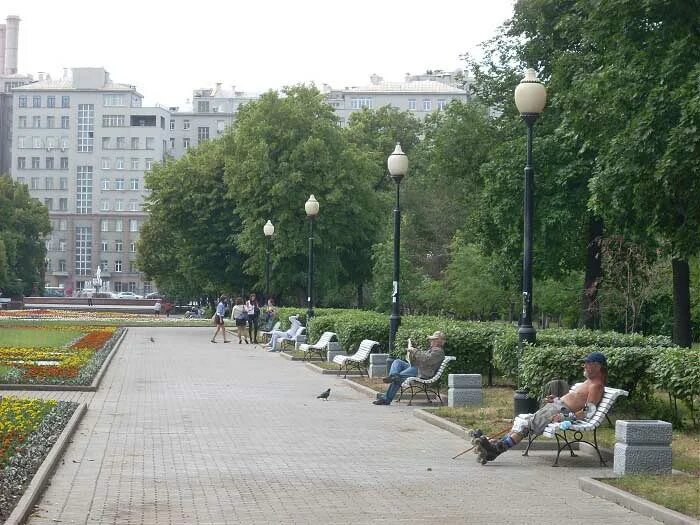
(28, 430)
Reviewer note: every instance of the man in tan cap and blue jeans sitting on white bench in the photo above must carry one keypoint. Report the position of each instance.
(423, 363)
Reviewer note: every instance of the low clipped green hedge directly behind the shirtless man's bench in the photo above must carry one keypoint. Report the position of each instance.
(629, 368)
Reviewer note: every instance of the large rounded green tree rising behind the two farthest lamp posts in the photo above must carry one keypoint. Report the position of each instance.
(284, 148)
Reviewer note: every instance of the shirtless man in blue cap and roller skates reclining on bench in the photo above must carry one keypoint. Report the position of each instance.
(580, 404)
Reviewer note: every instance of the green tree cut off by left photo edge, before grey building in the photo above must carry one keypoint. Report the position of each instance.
(24, 223)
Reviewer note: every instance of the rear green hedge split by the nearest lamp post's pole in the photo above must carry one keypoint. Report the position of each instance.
(505, 352)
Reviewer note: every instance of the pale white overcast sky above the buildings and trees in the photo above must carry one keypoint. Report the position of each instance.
(167, 49)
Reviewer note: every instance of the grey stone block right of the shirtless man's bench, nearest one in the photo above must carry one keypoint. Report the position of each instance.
(642, 447)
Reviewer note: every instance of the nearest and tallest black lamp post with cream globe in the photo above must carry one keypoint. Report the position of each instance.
(530, 99)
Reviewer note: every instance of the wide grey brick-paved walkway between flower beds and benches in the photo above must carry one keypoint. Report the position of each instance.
(183, 431)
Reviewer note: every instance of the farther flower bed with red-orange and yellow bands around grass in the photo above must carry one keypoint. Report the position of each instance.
(76, 363)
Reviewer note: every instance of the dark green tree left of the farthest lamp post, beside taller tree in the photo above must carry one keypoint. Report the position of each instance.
(187, 244)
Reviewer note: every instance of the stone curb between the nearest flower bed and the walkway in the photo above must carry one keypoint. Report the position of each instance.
(25, 506)
